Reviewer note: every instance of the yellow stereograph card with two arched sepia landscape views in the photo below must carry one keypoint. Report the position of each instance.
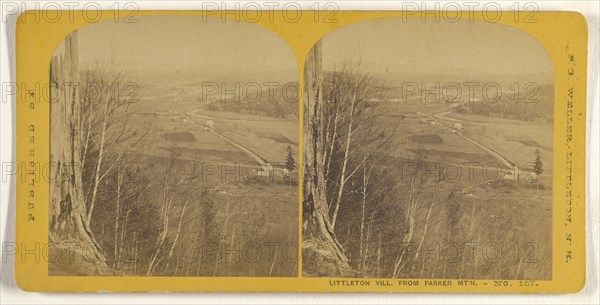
(342, 151)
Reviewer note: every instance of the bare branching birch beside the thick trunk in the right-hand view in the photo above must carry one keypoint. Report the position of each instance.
(353, 132)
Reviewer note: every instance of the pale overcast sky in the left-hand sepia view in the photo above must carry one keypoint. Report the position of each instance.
(185, 43)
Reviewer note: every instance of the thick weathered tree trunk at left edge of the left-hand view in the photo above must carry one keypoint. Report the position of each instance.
(67, 206)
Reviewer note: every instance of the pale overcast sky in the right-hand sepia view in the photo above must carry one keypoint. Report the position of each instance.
(432, 47)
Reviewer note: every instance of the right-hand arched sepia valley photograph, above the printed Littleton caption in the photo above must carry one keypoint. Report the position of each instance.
(428, 152)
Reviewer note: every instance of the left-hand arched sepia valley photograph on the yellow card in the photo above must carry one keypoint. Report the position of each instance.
(174, 144)
